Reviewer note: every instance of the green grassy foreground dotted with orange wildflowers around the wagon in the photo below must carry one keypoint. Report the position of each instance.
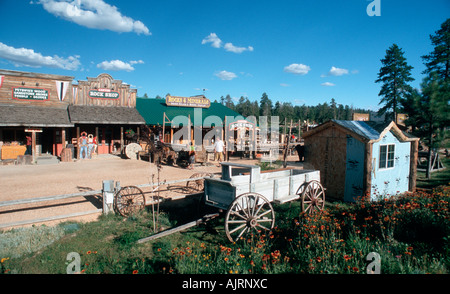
(411, 233)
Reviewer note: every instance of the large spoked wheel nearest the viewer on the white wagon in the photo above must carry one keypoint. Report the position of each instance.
(247, 213)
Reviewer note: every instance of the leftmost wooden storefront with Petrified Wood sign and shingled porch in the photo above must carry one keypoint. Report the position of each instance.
(34, 105)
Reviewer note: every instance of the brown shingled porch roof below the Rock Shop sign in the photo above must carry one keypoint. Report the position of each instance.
(89, 114)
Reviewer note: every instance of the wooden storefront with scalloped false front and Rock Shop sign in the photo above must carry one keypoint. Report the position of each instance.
(105, 108)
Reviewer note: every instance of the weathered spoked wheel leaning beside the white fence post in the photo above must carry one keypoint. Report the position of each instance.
(129, 200)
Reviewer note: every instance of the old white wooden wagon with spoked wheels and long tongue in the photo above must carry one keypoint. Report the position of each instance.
(244, 194)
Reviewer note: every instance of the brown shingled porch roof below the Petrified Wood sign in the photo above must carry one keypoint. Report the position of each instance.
(34, 116)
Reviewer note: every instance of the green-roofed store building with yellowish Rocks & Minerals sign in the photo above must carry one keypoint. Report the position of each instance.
(181, 120)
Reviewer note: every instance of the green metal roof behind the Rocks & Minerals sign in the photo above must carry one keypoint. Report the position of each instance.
(152, 110)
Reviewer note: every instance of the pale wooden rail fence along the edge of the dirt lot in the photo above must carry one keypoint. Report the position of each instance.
(107, 194)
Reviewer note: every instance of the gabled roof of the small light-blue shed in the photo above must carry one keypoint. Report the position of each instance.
(367, 131)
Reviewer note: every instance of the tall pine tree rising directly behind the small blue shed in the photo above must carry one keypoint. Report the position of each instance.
(395, 75)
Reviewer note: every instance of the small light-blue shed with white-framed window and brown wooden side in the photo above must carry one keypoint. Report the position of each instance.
(362, 158)
